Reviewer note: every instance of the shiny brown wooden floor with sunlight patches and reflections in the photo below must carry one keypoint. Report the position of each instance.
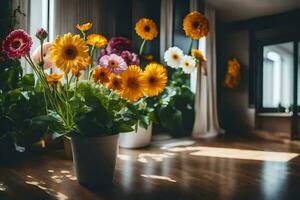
(166, 174)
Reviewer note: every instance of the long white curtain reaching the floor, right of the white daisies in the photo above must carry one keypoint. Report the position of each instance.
(206, 118)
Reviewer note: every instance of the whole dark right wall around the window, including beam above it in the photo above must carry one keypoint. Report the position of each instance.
(239, 40)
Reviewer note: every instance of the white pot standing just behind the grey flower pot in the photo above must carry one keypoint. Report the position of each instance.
(138, 139)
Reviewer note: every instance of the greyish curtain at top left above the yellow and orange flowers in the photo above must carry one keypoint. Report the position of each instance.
(66, 14)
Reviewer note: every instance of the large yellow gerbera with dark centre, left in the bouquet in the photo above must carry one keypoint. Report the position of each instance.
(69, 51)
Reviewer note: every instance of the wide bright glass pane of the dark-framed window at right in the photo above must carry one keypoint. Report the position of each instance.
(278, 76)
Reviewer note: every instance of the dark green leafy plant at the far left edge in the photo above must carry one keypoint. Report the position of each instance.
(19, 107)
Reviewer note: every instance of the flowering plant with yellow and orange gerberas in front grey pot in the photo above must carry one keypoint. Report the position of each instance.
(91, 111)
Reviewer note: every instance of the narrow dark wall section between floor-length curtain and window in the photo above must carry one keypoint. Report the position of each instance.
(235, 115)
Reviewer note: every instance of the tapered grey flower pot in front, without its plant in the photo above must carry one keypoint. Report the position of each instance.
(94, 159)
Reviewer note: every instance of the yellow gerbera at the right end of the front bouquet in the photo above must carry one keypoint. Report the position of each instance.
(156, 78)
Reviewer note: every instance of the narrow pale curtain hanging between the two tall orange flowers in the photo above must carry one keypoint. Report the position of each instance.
(166, 26)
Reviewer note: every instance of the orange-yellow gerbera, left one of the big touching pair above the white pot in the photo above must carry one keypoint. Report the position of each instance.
(133, 83)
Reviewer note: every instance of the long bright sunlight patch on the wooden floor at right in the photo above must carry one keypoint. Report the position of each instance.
(237, 153)
